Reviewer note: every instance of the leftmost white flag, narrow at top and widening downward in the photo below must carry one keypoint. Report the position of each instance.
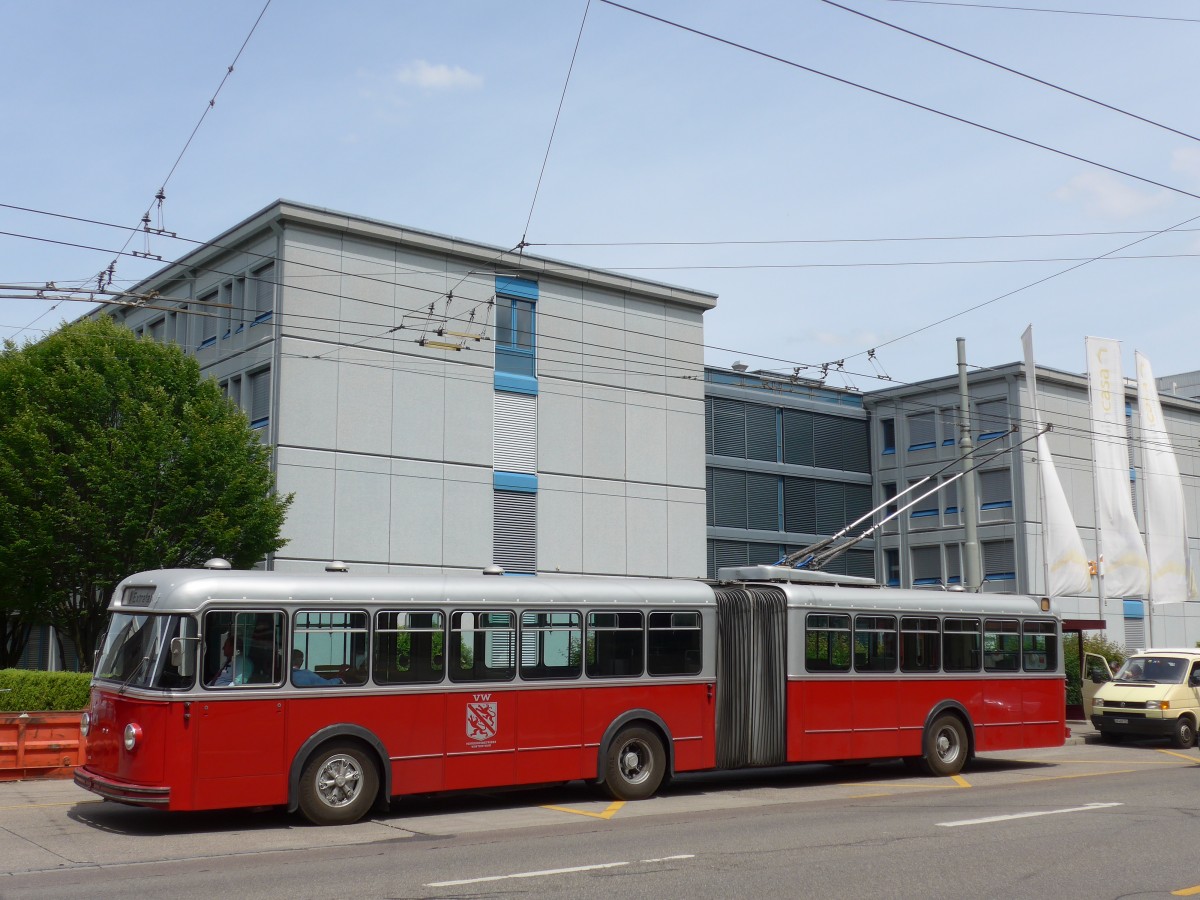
(1067, 572)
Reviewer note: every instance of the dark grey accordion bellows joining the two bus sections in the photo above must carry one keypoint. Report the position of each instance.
(752, 677)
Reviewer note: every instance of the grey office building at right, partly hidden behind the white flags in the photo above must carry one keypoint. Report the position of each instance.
(916, 434)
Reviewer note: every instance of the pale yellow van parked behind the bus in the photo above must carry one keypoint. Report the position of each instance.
(1155, 694)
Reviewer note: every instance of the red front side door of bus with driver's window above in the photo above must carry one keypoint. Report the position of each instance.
(241, 733)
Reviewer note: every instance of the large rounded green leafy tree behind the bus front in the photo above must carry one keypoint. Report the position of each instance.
(116, 458)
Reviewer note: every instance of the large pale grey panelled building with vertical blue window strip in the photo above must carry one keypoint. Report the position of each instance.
(440, 405)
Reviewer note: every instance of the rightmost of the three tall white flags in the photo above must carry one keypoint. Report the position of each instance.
(1167, 529)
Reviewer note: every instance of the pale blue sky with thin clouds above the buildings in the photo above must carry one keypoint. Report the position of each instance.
(832, 221)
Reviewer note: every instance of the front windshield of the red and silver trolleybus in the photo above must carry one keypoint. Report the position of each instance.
(137, 652)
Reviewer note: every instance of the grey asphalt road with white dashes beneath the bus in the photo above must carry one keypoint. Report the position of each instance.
(1083, 821)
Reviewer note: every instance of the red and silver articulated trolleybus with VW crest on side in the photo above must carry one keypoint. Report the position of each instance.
(332, 694)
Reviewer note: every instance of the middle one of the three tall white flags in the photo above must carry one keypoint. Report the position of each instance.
(1124, 569)
